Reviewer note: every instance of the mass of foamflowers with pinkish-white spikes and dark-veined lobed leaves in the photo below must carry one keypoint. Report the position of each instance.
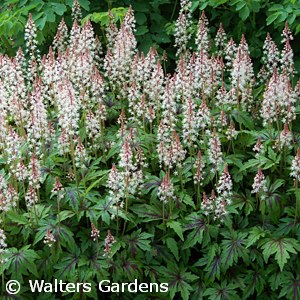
(113, 169)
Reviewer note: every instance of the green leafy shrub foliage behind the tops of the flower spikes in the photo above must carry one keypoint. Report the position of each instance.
(155, 21)
